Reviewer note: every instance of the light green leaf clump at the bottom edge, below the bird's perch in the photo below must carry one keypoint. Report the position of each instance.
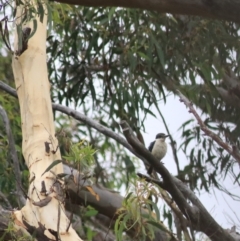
(136, 213)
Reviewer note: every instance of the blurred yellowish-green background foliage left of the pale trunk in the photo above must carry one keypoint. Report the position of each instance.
(7, 176)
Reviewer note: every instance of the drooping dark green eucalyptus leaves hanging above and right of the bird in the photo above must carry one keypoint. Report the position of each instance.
(119, 62)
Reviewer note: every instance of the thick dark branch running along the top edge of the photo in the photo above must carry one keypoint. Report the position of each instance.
(216, 9)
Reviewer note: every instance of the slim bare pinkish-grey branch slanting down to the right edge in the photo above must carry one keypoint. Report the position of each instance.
(233, 151)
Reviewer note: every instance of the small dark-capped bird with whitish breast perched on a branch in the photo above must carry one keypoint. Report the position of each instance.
(158, 148)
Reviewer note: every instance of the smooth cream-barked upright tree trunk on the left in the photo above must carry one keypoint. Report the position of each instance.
(33, 88)
